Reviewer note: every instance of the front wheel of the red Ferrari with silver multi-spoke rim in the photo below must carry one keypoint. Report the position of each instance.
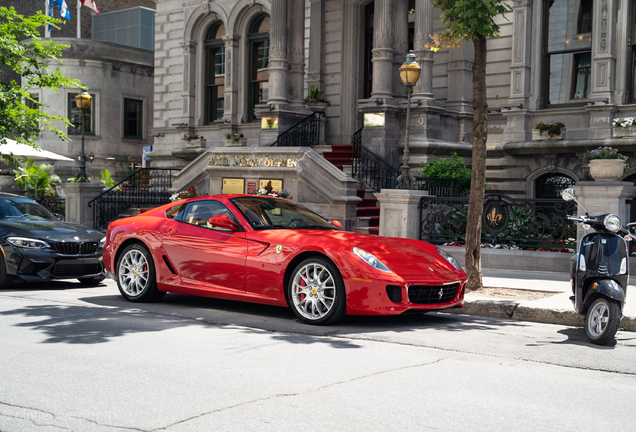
(316, 292)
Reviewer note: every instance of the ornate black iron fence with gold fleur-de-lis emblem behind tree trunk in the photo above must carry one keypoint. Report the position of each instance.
(527, 223)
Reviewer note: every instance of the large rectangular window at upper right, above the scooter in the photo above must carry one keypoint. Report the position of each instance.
(567, 52)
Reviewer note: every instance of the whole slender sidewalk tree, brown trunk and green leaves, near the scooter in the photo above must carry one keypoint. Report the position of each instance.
(473, 20)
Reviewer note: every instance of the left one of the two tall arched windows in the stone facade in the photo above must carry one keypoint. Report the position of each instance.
(214, 74)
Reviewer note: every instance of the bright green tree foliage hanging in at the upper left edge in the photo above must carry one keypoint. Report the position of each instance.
(22, 50)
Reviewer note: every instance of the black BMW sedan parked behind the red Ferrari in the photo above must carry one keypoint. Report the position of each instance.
(36, 246)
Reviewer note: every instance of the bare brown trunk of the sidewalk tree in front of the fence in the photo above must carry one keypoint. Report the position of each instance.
(478, 171)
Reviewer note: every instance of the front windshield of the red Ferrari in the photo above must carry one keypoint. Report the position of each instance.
(269, 213)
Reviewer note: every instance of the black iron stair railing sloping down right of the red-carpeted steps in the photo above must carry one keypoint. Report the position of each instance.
(370, 168)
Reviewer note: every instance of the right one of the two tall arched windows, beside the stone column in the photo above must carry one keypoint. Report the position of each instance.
(258, 49)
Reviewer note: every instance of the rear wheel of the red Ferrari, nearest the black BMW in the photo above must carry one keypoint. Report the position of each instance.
(135, 273)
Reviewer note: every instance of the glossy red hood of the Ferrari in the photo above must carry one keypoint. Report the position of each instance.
(401, 258)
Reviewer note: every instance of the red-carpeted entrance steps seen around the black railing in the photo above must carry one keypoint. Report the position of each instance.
(368, 210)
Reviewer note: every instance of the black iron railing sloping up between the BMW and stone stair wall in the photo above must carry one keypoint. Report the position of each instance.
(147, 186)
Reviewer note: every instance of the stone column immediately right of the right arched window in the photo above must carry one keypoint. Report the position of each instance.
(278, 79)
